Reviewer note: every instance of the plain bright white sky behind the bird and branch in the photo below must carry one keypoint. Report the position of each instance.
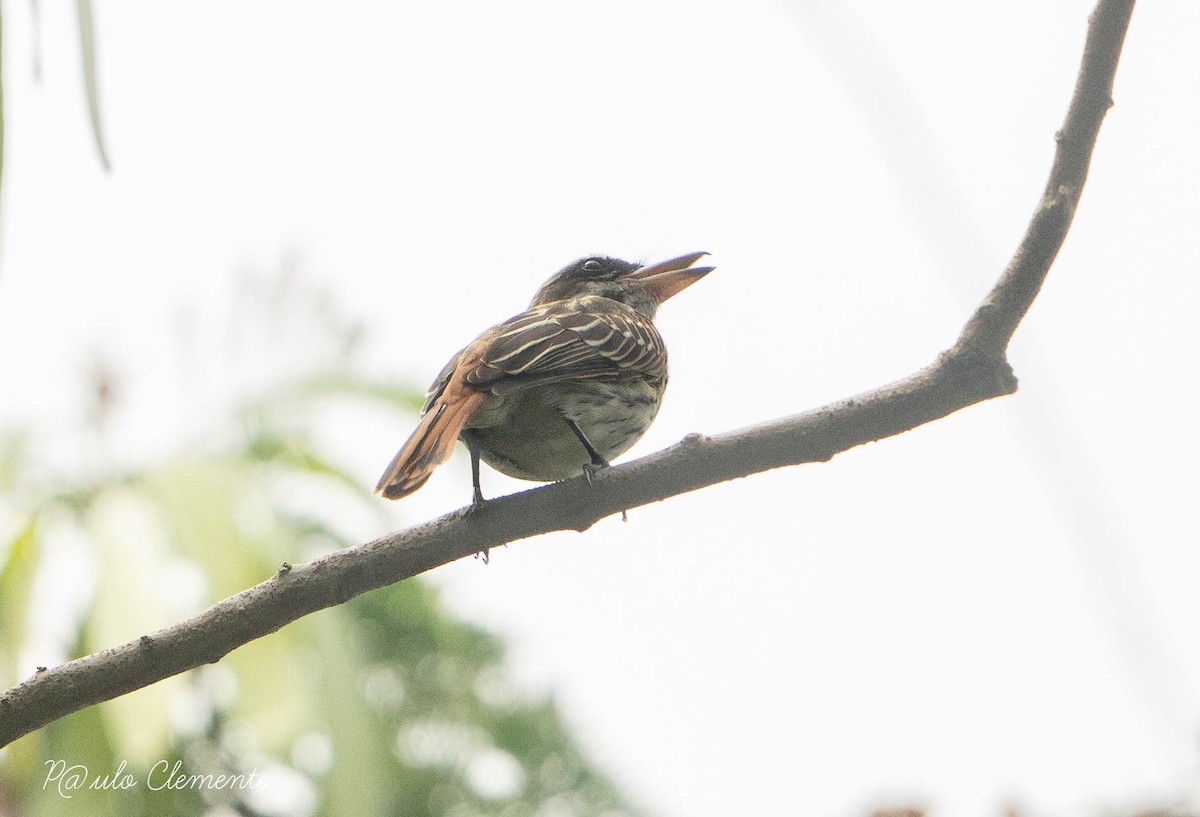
(999, 608)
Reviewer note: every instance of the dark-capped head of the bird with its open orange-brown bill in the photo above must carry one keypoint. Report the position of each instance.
(644, 287)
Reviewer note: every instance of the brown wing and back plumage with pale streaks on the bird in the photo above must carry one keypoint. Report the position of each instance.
(586, 338)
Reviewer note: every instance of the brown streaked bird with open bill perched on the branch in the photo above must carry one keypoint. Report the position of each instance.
(560, 389)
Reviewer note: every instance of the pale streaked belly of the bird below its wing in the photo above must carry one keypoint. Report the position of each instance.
(526, 437)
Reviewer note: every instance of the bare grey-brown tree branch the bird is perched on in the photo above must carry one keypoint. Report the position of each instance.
(973, 371)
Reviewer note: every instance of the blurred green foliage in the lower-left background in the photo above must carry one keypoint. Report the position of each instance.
(383, 706)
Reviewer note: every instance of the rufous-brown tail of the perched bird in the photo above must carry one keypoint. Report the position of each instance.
(431, 444)
